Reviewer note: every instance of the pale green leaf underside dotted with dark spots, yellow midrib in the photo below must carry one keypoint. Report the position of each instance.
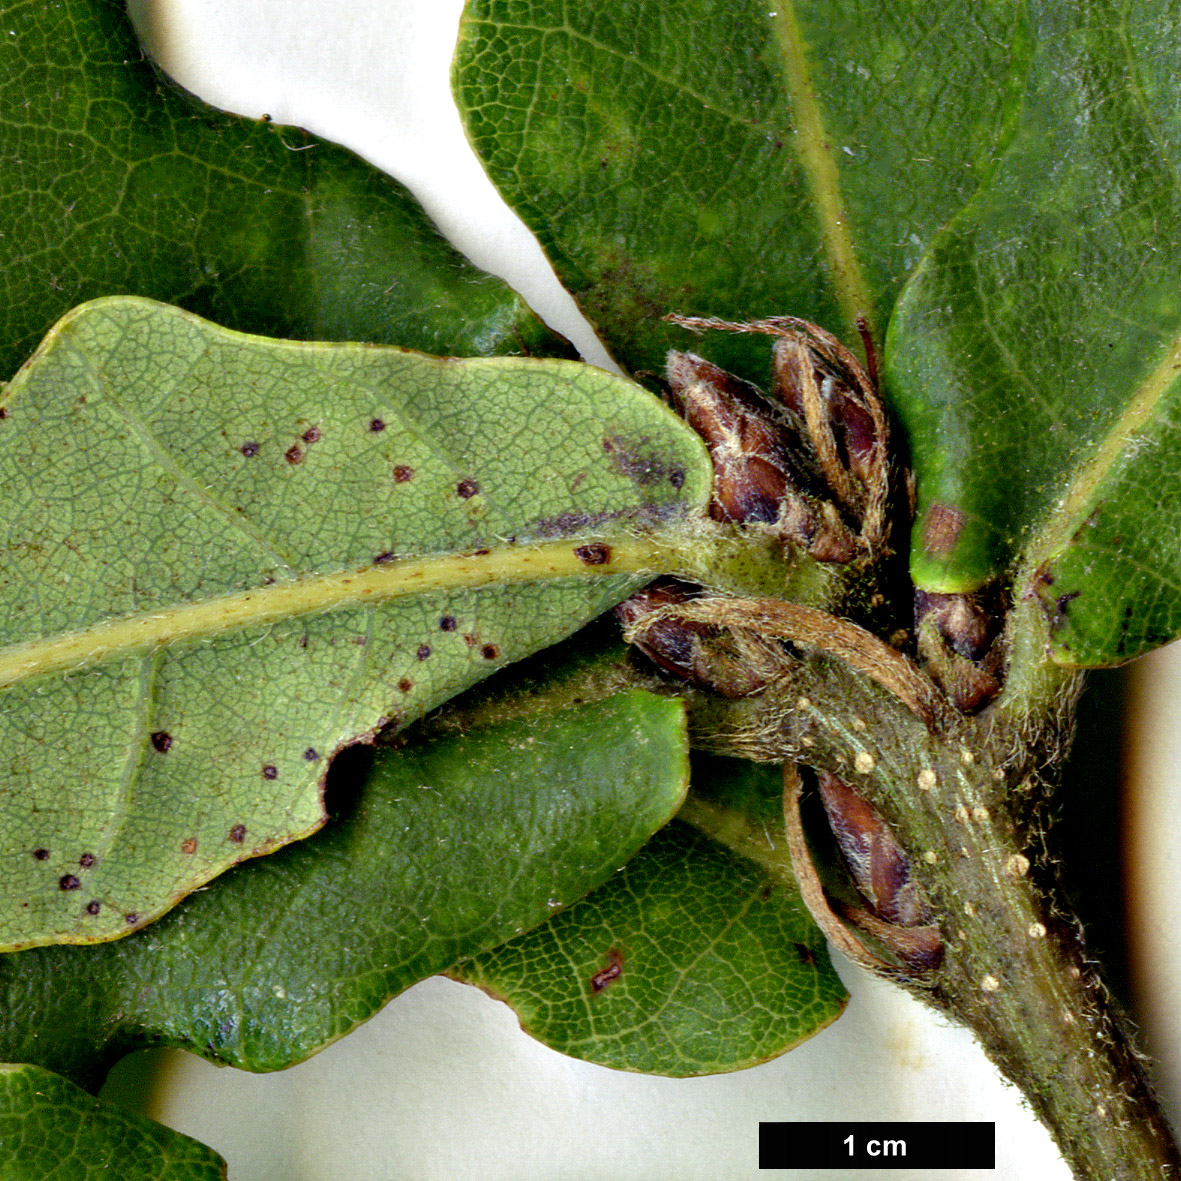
(227, 558)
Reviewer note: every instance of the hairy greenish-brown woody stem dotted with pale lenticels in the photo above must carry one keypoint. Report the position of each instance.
(968, 805)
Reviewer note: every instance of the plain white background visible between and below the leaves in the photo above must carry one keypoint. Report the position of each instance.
(442, 1084)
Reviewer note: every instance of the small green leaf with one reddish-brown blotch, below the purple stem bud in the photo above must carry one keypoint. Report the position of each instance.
(691, 961)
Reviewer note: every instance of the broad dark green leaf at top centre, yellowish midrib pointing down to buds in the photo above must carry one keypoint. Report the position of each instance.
(736, 160)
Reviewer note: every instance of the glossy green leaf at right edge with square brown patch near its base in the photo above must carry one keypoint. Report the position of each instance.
(1038, 344)
